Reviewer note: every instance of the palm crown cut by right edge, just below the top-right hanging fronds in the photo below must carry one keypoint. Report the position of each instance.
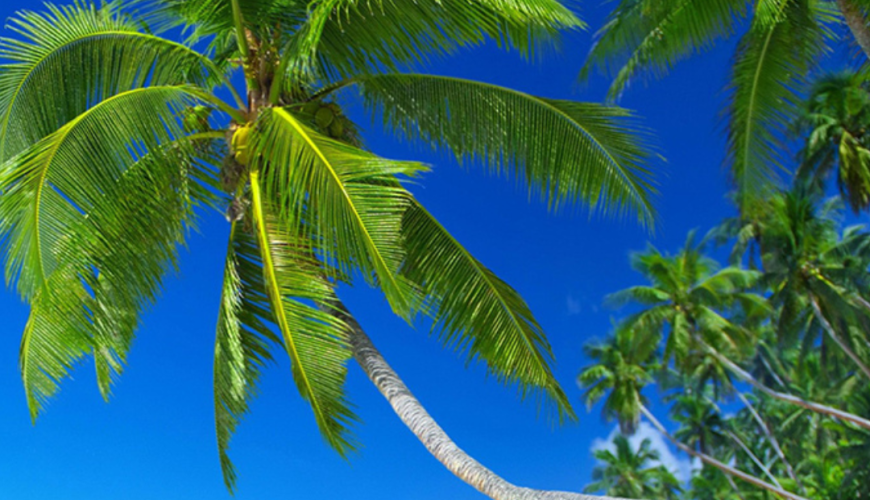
(835, 120)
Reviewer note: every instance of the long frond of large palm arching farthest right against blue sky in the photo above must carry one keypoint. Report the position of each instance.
(565, 151)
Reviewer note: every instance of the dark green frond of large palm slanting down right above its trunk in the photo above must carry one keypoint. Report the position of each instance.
(478, 312)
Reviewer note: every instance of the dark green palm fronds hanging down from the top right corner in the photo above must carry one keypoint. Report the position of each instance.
(782, 42)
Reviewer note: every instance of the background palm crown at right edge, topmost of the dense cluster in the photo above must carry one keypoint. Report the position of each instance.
(816, 274)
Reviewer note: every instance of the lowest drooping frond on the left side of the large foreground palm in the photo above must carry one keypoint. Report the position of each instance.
(109, 267)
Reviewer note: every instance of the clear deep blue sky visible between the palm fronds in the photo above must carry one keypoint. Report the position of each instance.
(156, 438)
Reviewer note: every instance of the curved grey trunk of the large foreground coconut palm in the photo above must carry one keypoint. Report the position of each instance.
(433, 437)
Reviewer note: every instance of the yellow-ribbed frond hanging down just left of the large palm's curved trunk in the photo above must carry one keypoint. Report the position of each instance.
(314, 340)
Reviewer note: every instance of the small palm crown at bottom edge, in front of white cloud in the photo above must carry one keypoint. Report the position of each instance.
(629, 473)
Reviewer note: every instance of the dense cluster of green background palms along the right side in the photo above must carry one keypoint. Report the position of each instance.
(763, 360)
